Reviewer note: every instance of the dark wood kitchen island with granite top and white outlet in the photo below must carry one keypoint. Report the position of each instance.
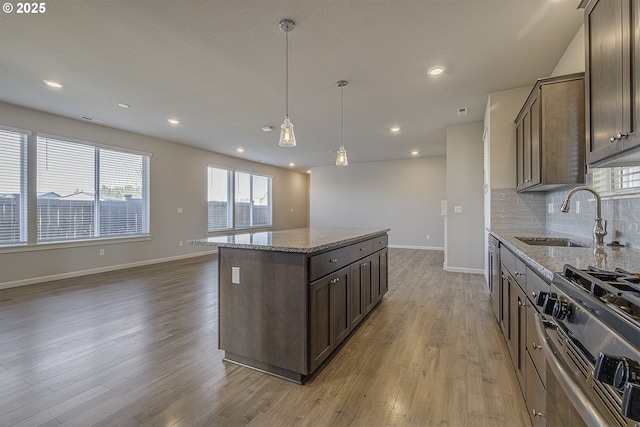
(288, 299)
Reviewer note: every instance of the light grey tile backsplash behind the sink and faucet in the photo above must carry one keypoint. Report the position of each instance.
(510, 210)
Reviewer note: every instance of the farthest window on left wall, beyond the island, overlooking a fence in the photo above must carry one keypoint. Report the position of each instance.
(238, 200)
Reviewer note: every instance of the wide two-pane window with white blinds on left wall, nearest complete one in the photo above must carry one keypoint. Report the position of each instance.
(89, 192)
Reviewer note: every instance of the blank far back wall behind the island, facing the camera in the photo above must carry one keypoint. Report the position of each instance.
(403, 195)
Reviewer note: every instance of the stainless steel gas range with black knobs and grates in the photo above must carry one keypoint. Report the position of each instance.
(590, 330)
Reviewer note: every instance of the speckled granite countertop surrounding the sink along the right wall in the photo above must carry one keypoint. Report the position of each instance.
(549, 259)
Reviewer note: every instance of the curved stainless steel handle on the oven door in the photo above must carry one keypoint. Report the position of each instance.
(578, 399)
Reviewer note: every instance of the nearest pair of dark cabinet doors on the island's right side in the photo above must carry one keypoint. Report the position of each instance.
(330, 322)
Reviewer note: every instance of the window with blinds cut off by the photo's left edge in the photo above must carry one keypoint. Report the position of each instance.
(13, 187)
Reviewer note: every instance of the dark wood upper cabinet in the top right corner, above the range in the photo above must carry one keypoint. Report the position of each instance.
(612, 44)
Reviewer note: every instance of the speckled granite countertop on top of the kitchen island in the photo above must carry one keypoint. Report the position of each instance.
(300, 240)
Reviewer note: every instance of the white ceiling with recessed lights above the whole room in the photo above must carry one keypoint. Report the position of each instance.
(219, 67)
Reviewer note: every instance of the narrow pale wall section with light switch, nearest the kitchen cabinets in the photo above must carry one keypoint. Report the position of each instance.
(465, 230)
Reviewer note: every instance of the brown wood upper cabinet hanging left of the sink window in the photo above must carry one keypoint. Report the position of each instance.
(550, 135)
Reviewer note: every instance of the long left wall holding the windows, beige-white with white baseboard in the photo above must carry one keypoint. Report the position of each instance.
(178, 179)
